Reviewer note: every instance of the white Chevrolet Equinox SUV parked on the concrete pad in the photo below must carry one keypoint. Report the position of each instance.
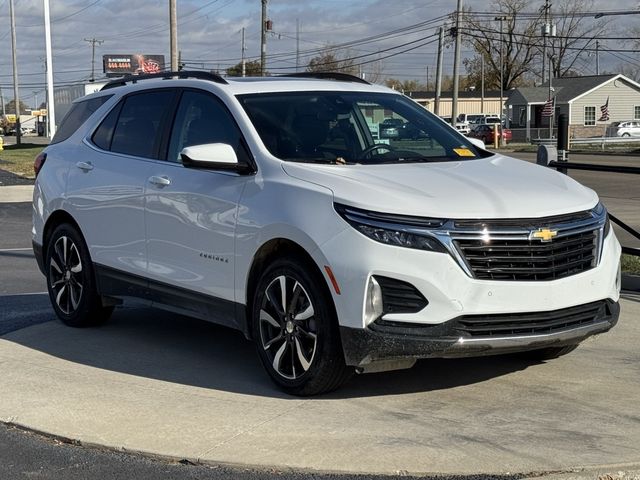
(266, 205)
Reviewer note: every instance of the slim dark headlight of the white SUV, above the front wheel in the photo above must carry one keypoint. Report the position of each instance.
(391, 229)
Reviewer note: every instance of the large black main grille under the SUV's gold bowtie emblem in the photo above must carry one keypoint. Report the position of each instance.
(529, 260)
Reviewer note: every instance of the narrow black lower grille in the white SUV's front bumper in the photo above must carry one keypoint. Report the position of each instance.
(504, 325)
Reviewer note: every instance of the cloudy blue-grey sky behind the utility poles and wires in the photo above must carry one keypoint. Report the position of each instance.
(209, 35)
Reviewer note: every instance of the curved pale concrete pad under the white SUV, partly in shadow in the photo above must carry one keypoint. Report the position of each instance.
(152, 382)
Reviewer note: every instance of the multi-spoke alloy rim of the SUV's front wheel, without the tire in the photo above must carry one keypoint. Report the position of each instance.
(288, 328)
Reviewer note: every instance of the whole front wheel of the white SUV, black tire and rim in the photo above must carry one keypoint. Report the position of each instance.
(299, 345)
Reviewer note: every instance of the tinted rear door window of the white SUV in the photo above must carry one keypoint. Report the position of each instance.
(139, 123)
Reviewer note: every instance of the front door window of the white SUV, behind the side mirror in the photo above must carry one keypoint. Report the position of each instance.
(200, 119)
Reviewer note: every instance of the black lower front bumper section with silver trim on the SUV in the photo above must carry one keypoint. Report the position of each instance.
(389, 342)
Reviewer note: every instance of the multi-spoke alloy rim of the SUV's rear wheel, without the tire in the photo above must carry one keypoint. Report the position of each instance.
(65, 275)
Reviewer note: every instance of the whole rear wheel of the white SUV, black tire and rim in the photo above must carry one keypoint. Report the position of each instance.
(71, 281)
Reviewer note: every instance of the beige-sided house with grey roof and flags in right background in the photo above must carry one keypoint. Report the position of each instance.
(581, 98)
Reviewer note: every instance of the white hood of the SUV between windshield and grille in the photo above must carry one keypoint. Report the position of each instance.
(494, 187)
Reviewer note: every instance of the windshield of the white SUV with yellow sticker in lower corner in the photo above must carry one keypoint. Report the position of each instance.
(353, 128)
